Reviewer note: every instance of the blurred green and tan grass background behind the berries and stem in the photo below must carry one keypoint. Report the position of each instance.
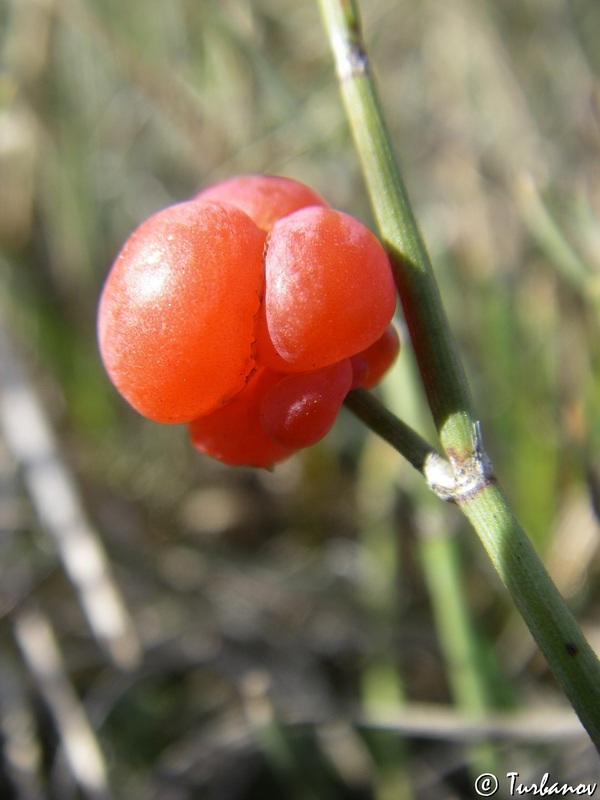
(173, 628)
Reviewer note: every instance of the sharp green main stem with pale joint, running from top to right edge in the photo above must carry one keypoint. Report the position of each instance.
(470, 483)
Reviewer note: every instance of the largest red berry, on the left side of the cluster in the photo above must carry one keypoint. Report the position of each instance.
(177, 313)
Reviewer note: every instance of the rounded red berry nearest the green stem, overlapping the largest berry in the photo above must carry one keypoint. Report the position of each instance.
(329, 291)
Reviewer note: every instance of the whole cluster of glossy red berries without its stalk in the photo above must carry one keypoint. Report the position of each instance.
(249, 312)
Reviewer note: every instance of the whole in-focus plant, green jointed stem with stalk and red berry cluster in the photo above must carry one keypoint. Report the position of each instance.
(253, 311)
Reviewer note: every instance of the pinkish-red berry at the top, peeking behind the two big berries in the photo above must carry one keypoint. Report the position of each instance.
(265, 198)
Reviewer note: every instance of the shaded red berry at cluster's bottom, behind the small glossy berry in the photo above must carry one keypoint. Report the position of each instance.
(233, 433)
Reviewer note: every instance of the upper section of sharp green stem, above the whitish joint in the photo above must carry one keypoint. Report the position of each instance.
(441, 370)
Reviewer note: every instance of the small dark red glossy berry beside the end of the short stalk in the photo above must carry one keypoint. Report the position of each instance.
(301, 408)
